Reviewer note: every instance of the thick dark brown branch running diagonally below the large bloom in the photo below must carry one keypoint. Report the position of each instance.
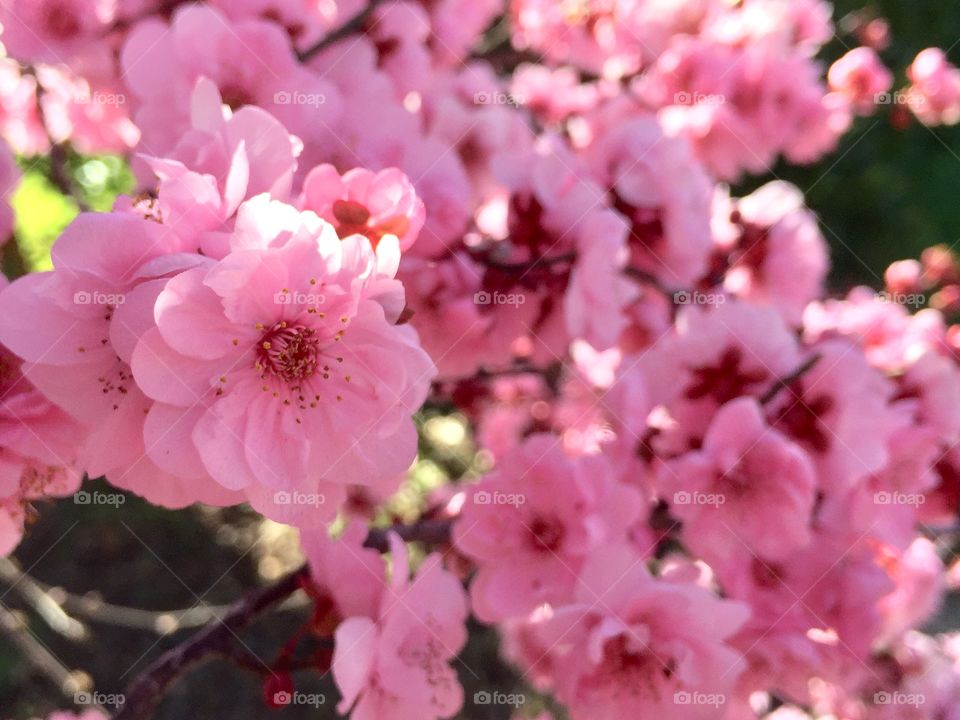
(217, 639)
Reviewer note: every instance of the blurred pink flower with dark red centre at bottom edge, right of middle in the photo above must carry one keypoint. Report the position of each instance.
(632, 645)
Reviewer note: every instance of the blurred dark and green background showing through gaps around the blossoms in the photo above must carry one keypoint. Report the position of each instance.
(136, 580)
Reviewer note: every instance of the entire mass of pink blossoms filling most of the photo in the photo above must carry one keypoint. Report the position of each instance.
(706, 479)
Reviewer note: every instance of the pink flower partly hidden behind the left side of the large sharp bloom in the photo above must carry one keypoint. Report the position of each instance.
(108, 271)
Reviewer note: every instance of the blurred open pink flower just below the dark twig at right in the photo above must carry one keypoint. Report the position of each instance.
(745, 480)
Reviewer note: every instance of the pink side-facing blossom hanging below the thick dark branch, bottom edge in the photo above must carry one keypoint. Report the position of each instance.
(392, 657)
